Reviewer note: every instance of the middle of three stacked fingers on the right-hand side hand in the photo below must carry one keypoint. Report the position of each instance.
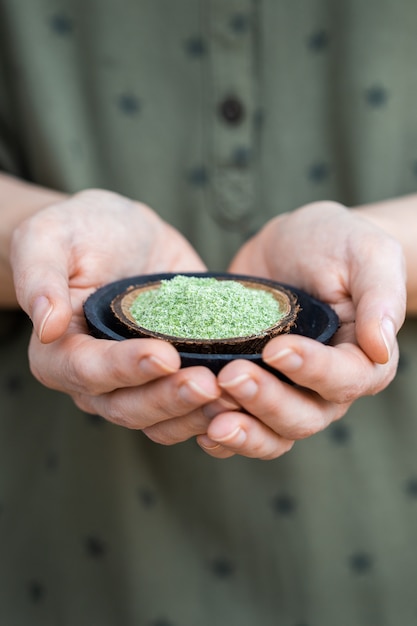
(290, 411)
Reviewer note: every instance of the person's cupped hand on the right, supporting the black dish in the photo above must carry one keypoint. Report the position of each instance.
(339, 257)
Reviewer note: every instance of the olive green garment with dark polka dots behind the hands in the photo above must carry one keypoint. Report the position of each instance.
(219, 114)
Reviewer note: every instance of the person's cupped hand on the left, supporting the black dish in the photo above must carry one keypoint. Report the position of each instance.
(59, 257)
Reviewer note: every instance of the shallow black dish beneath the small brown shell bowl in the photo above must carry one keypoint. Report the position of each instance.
(315, 319)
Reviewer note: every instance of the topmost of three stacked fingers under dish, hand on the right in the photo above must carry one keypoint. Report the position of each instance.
(340, 373)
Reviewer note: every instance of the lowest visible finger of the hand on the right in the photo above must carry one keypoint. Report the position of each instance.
(239, 433)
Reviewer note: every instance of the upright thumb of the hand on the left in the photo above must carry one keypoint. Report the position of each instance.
(41, 286)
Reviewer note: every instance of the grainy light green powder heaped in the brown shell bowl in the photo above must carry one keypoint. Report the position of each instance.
(205, 308)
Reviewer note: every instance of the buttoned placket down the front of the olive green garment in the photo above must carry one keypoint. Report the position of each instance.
(231, 110)
